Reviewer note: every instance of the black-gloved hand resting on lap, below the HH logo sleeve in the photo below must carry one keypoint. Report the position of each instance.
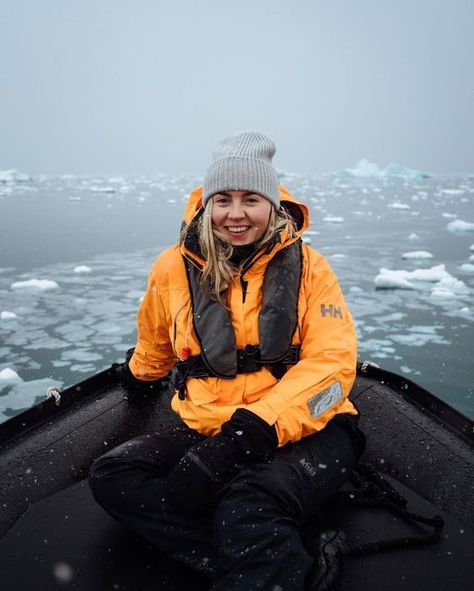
(207, 466)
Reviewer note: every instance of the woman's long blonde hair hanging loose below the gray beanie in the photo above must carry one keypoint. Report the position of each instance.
(216, 250)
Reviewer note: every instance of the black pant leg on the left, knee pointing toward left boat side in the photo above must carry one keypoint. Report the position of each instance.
(130, 484)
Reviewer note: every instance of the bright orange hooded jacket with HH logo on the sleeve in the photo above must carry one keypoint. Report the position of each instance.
(306, 397)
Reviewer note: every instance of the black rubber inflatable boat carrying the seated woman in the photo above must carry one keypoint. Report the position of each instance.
(54, 536)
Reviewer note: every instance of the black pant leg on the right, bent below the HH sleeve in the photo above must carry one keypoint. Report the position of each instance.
(258, 522)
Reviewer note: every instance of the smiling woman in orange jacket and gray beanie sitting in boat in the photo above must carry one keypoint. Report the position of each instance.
(253, 327)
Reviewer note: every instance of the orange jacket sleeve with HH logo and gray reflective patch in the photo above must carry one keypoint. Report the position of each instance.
(314, 390)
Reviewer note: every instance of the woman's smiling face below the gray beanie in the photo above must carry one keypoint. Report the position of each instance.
(242, 217)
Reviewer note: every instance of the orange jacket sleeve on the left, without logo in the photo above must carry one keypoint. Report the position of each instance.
(153, 357)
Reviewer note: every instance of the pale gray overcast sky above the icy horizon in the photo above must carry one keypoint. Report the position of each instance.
(143, 86)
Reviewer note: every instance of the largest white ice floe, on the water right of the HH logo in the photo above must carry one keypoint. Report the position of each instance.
(445, 285)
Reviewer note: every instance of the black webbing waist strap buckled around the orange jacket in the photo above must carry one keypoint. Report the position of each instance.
(248, 360)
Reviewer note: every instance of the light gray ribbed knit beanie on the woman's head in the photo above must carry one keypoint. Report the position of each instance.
(243, 162)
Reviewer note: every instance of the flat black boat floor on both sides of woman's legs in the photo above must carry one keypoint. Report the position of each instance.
(68, 542)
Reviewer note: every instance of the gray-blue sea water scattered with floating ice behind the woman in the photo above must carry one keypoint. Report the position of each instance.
(75, 253)
